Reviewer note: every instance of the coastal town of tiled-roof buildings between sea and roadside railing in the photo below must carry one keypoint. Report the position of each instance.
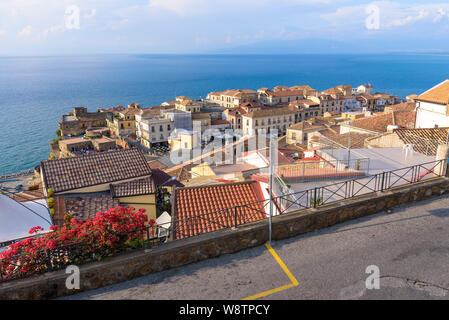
(124, 157)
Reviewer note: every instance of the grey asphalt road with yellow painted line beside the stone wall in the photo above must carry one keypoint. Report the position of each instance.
(410, 246)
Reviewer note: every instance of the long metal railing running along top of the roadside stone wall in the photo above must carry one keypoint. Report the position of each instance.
(156, 235)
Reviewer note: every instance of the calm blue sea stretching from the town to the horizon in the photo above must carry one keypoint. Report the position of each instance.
(36, 91)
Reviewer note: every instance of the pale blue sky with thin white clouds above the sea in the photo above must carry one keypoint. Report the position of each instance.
(48, 27)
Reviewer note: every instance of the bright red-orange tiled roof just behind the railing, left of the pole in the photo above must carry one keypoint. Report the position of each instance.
(204, 209)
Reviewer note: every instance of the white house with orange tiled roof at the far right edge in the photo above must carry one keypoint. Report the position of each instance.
(432, 107)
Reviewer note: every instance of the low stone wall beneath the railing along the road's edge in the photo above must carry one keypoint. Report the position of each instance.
(185, 251)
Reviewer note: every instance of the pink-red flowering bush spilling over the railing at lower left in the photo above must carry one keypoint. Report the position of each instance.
(76, 242)
